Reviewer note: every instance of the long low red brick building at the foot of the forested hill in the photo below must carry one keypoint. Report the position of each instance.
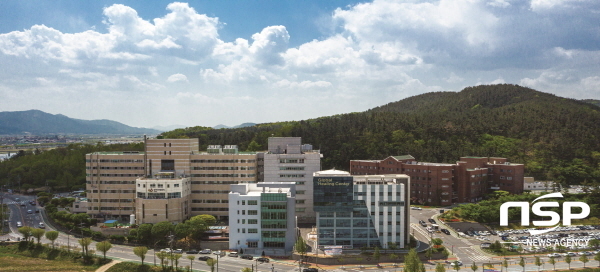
(444, 184)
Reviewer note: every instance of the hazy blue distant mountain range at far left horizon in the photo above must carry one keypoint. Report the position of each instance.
(37, 122)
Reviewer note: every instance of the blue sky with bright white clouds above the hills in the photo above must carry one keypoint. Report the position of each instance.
(204, 63)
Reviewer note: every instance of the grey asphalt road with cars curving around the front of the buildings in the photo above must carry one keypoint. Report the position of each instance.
(465, 250)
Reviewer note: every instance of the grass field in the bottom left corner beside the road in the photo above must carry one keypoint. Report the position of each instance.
(23, 257)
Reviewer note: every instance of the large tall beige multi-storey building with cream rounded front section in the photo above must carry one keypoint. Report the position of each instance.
(121, 184)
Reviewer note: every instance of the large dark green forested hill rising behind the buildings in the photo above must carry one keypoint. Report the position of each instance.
(554, 137)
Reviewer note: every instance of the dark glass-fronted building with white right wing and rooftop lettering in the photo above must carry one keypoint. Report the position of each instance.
(361, 211)
